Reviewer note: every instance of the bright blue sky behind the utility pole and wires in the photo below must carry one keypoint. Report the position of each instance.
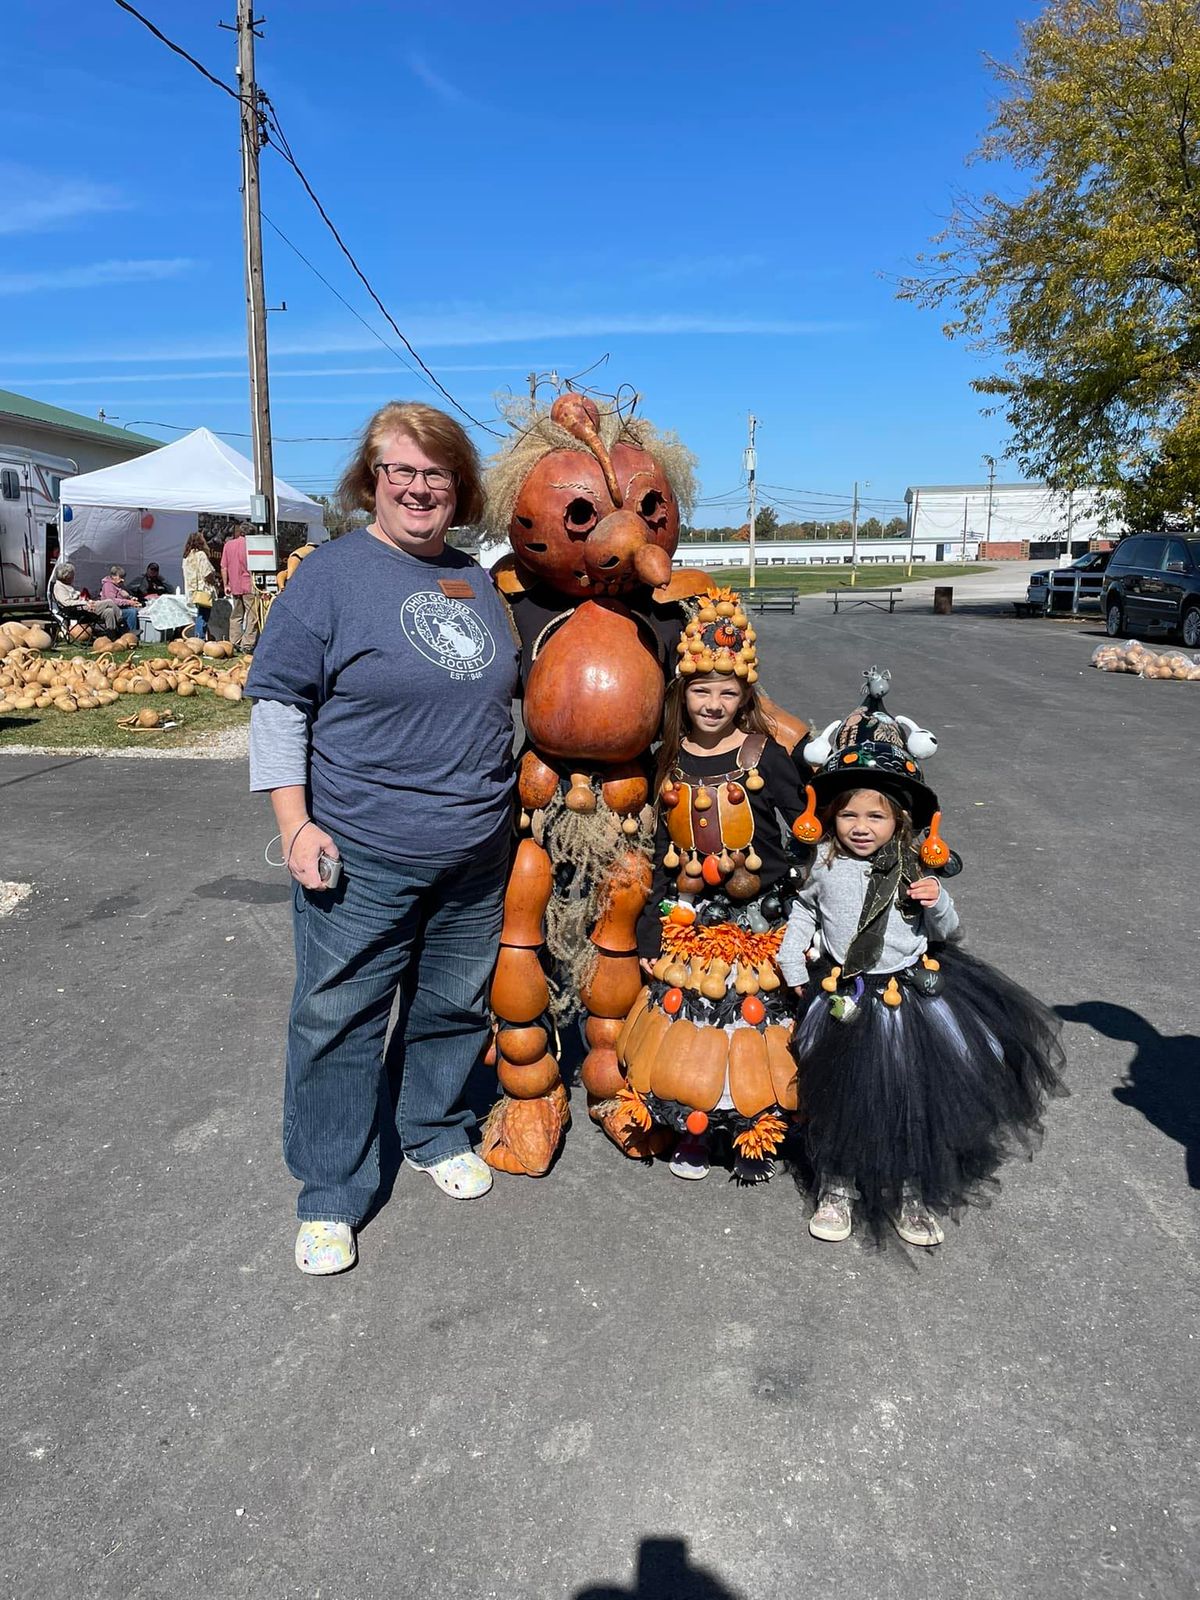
(714, 196)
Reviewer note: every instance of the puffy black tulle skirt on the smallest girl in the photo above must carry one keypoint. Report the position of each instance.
(935, 1094)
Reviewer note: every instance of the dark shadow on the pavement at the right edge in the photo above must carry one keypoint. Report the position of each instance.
(1164, 1078)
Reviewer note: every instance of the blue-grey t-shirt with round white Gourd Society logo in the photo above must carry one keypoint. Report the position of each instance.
(407, 684)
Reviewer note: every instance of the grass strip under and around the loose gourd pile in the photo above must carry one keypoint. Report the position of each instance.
(198, 714)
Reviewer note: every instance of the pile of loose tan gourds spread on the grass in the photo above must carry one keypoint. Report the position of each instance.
(31, 681)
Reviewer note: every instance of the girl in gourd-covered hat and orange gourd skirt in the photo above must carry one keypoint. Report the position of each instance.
(706, 1046)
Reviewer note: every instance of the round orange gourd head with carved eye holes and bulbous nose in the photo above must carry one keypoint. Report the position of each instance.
(567, 532)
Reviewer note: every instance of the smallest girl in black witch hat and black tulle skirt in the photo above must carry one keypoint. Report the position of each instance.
(919, 1065)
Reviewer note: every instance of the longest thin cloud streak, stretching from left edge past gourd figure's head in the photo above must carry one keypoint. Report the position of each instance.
(462, 329)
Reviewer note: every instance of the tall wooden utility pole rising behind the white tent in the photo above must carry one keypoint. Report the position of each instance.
(257, 302)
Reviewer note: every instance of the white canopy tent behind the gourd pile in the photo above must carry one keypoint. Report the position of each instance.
(146, 510)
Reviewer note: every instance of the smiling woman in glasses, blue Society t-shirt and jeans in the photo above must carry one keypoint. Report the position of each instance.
(383, 730)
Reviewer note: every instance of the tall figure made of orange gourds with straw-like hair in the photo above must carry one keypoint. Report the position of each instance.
(593, 510)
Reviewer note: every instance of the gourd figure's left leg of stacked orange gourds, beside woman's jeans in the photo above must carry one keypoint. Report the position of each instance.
(526, 1127)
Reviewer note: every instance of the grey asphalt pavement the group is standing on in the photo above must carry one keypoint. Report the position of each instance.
(610, 1383)
